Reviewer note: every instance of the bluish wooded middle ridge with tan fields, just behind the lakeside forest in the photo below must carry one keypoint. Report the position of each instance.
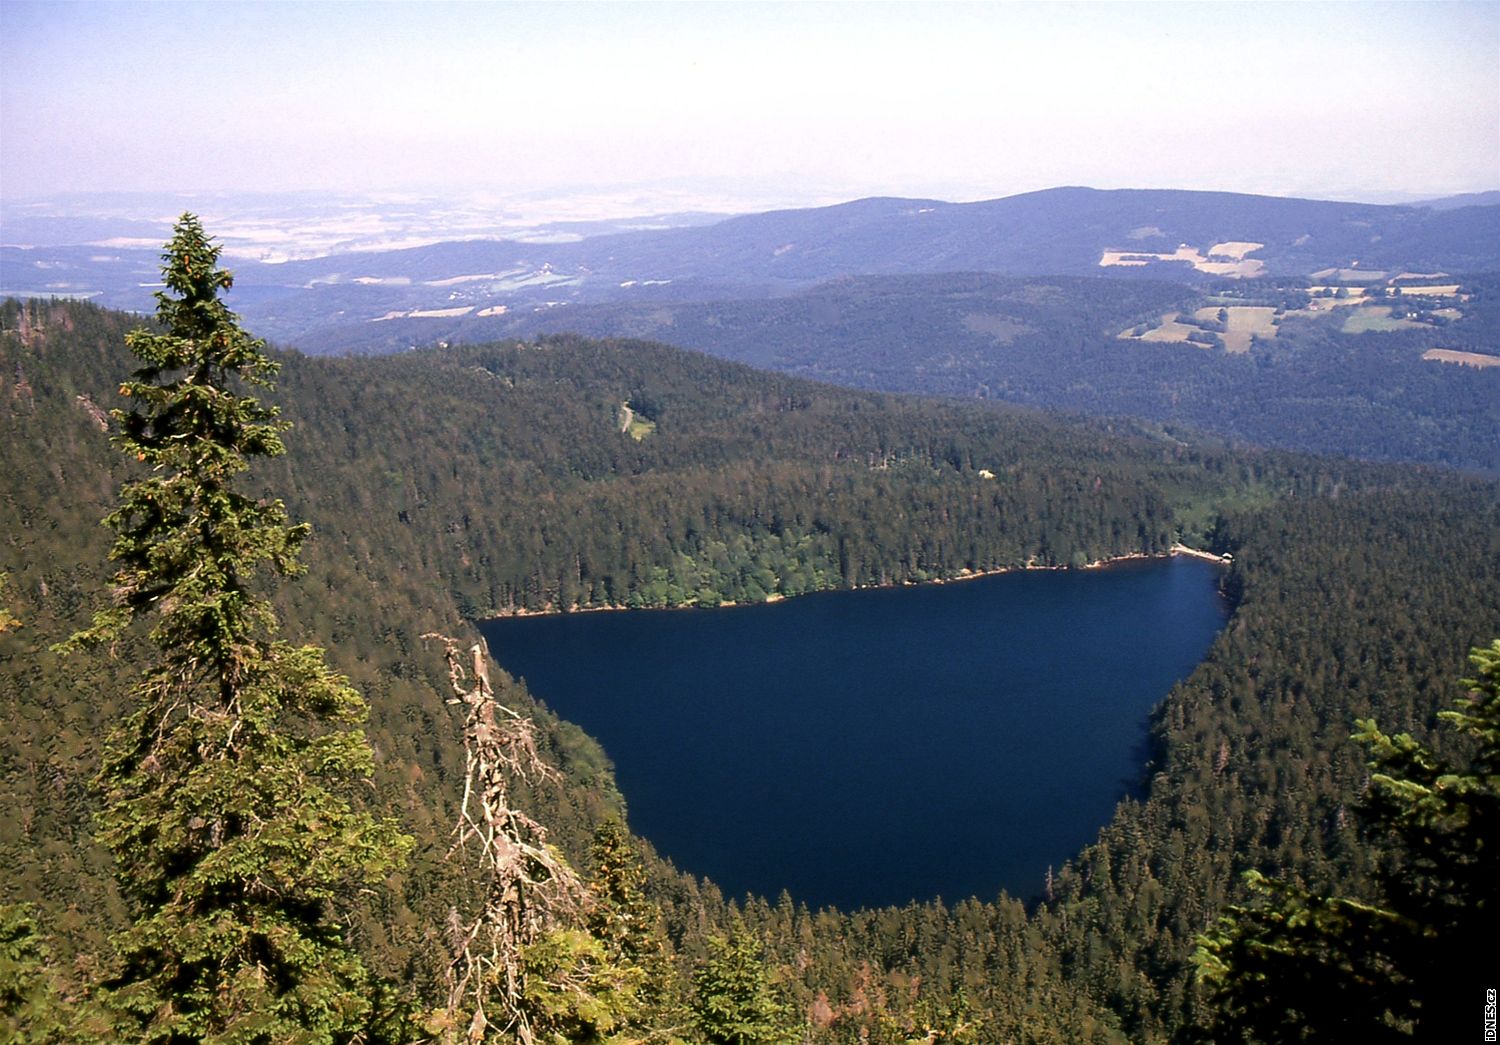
(1315, 376)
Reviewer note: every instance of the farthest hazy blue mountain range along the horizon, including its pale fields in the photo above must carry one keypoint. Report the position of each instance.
(1171, 235)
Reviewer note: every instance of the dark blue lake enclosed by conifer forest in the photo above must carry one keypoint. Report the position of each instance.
(875, 747)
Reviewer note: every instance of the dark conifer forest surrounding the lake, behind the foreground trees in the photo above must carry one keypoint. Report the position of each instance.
(566, 473)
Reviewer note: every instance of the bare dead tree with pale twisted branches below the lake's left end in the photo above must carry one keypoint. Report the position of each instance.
(527, 885)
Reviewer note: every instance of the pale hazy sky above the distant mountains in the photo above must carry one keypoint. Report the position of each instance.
(955, 101)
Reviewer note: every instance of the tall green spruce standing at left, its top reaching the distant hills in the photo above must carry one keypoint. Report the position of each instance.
(227, 788)
